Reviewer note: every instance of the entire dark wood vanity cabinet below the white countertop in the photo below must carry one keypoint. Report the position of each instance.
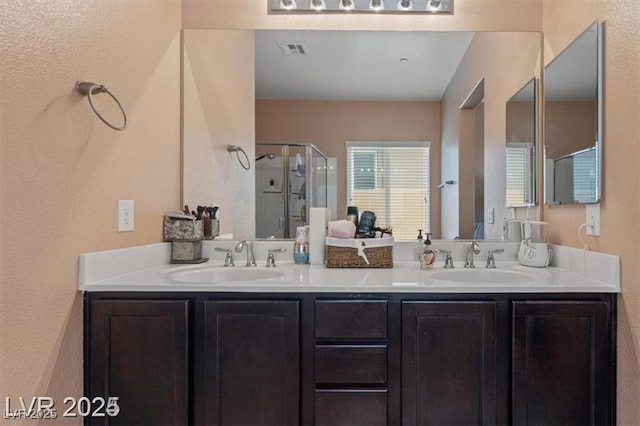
(352, 359)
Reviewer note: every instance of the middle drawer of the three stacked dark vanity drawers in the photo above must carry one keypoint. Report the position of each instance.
(350, 364)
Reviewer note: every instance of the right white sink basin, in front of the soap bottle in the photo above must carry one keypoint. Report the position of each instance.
(484, 276)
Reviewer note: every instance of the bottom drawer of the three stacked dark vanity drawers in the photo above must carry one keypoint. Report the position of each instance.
(349, 407)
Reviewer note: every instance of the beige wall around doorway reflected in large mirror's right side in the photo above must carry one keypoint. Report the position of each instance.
(488, 56)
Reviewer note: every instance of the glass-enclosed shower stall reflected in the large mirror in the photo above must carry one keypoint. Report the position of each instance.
(290, 179)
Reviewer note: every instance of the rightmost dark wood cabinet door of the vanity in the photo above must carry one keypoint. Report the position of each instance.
(560, 362)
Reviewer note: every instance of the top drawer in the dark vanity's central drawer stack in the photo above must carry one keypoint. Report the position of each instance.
(351, 319)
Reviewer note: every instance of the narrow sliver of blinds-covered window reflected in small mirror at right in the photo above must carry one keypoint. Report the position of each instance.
(519, 174)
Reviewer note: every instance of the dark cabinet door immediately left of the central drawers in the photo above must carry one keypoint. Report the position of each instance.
(251, 363)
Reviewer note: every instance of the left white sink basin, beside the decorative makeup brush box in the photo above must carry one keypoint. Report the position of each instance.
(221, 275)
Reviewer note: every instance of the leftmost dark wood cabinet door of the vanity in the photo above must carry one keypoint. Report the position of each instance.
(138, 352)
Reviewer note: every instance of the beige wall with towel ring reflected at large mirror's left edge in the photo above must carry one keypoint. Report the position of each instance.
(218, 110)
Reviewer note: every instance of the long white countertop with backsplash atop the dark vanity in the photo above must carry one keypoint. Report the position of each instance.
(146, 269)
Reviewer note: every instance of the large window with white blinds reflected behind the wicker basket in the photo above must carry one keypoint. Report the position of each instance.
(391, 179)
